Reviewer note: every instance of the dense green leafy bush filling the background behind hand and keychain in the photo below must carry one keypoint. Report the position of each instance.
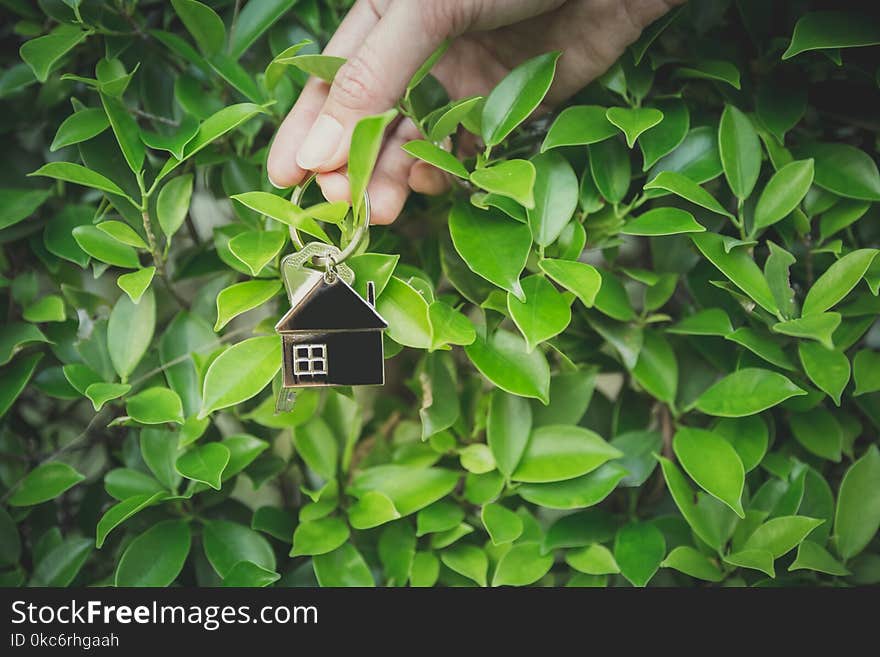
(637, 342)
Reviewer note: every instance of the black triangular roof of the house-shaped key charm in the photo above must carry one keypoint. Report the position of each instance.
(317, 306)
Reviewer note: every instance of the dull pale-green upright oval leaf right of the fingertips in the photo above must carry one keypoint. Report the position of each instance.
(556, 197)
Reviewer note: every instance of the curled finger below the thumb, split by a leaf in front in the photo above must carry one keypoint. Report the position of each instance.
(389, 185)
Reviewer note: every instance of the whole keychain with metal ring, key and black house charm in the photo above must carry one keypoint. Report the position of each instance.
(331, 336)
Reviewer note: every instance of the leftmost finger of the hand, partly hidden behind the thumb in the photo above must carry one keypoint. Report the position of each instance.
(281, 166)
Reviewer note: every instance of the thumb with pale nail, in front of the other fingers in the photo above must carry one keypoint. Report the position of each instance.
(370, 82)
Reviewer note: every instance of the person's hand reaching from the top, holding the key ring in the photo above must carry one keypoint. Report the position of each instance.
(385, 41)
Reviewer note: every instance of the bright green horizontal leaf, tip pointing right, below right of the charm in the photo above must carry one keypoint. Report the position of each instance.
(559, 452)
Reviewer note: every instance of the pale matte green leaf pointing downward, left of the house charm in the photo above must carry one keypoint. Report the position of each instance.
(130, 332)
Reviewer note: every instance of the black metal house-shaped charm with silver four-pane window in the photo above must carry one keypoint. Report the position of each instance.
(331, 336)
